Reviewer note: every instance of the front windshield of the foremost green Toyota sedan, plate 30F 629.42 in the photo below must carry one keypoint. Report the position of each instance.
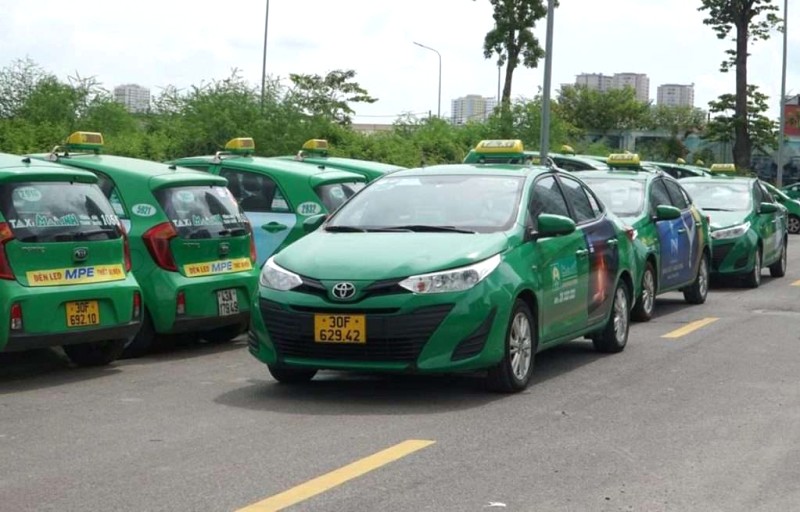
(458, 203)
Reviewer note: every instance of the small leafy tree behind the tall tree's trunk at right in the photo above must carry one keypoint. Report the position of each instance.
(724, 125)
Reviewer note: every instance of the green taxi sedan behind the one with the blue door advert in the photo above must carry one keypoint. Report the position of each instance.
(748, 228)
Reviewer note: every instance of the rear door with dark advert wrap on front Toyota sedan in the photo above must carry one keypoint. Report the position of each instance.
(602, 262)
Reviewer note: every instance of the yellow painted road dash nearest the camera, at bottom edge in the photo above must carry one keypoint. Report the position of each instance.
(337, 477)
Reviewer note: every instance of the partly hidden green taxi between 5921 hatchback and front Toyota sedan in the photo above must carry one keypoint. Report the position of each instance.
(276, 195)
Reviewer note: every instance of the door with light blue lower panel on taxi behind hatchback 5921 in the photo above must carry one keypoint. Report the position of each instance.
(265, 206)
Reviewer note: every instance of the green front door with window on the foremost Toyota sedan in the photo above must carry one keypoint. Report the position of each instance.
(560, 265)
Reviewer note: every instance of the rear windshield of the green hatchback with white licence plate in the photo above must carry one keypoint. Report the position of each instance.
(202, 211)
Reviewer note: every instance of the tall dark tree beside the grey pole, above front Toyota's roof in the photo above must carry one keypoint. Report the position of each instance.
(512, 39)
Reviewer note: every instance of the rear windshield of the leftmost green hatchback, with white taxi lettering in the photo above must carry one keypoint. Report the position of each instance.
(57, 211)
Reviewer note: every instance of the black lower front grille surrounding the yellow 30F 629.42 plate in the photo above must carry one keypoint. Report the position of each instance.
(390, 337)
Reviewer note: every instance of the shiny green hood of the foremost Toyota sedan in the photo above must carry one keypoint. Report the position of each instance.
(373, 256)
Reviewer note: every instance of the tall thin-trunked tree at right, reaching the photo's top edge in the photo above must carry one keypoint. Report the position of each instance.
(750, 21)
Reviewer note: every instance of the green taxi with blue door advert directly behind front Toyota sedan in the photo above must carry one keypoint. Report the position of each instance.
(672, 241)
